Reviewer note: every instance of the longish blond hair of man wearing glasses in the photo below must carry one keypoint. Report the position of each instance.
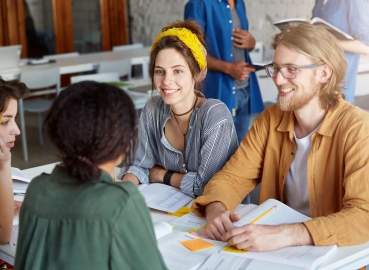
(319, 46)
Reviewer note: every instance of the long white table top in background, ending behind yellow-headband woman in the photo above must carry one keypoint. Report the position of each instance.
(80, 63)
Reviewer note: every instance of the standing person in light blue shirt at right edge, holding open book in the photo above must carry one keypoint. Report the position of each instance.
(352, 17)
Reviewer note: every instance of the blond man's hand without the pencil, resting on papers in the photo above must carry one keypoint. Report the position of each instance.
(219, 220)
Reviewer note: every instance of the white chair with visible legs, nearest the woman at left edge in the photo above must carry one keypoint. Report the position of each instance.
(37, 79)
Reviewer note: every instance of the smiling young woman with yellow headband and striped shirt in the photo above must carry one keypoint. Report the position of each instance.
(184, 138)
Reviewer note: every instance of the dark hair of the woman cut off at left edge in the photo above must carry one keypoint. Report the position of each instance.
(11, 90)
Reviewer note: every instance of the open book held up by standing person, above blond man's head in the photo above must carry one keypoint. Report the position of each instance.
(339, 34)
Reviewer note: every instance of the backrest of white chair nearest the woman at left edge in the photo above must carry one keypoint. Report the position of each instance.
(41, 78)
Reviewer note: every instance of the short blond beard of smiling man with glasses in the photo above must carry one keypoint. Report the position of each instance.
(300, 98)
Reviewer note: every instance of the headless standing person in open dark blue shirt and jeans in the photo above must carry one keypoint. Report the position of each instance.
(230, 77)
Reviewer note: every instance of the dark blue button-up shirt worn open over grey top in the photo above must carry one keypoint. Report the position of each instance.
(214, 17)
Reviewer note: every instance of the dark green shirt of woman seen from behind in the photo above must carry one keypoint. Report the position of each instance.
(65, 224)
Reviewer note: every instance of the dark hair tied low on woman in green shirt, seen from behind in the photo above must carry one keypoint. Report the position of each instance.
(92, 123)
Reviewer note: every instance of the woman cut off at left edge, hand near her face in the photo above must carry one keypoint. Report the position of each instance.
(10, 92)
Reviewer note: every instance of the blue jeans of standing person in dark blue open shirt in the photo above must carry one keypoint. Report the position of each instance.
(242, 120)
